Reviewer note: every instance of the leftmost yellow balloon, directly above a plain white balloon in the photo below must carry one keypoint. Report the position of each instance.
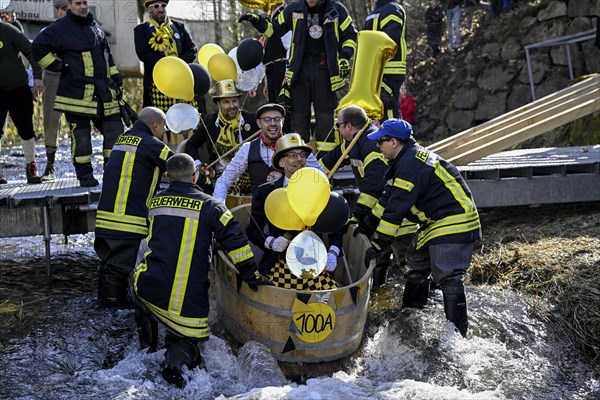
(174, 78)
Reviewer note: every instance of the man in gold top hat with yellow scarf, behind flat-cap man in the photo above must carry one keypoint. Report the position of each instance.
(222, 131)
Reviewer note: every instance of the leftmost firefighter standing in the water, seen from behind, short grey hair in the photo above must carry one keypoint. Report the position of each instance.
(131, 178)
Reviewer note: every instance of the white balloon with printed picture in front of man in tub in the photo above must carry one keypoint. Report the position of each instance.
(306, 255)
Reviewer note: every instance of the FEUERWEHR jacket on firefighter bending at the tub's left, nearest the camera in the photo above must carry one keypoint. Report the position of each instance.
(172, 281)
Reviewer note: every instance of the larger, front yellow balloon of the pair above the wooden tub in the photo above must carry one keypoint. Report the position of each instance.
(308, 194)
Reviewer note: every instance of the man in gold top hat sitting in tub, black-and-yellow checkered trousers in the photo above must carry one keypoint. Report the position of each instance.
(290, 155)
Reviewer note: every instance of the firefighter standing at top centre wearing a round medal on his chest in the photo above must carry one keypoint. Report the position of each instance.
(323, 42)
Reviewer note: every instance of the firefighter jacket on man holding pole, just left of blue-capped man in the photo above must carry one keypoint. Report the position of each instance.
(368, 165)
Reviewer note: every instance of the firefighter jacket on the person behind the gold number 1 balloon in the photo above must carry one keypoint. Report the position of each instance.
(389, 17)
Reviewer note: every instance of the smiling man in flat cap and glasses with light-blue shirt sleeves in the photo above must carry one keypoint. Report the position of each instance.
(256, 156)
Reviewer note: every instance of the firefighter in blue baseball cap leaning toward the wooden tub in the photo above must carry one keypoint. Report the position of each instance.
(426, 189)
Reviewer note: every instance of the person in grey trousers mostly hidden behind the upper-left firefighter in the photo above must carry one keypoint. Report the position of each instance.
(51, 117)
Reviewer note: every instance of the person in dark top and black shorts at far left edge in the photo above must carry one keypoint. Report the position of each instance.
(16, 96)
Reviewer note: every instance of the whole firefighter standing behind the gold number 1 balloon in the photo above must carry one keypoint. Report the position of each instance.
(389, 17)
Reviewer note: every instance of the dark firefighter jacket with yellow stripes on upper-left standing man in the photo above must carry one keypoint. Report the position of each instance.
(78, 49)
